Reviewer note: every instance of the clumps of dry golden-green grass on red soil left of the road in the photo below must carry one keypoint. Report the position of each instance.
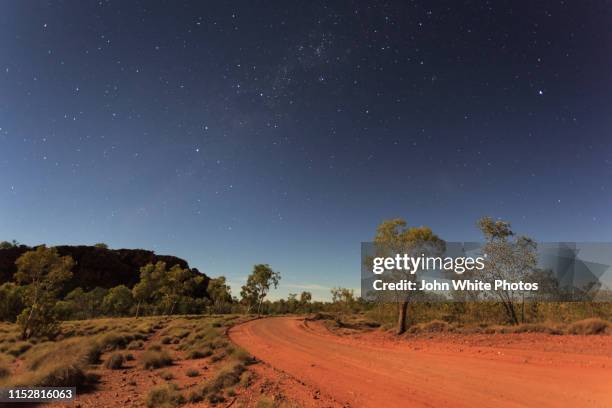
(81, 345)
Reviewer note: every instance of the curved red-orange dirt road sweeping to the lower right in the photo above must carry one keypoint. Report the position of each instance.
(366, 373)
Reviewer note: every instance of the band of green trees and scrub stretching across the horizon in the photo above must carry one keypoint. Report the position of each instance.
(33, 298)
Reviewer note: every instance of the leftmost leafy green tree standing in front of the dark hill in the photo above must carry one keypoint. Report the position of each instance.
(43, 272)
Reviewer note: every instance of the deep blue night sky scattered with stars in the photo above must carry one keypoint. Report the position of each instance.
(243, 132)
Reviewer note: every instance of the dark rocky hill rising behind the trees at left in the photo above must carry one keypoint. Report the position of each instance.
(99, 267)
